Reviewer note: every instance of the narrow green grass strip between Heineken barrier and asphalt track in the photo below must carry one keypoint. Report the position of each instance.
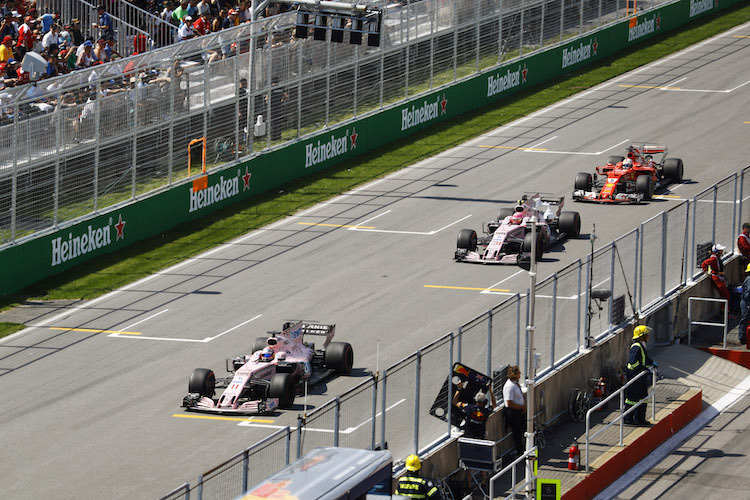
(110, 272)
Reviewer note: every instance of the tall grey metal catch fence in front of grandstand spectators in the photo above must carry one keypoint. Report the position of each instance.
(106, 136)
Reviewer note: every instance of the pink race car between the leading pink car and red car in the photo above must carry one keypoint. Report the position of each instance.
(507, 240)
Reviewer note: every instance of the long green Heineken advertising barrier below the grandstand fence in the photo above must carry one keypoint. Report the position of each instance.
(34, 260)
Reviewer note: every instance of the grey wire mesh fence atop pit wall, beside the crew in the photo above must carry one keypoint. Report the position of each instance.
(396, 408)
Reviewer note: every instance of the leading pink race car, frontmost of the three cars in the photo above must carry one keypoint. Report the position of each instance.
(268, 378)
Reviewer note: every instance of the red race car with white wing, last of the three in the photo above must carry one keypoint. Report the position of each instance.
(631, 178)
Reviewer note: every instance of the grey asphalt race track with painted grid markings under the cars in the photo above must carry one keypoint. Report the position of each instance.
(88, 413)
